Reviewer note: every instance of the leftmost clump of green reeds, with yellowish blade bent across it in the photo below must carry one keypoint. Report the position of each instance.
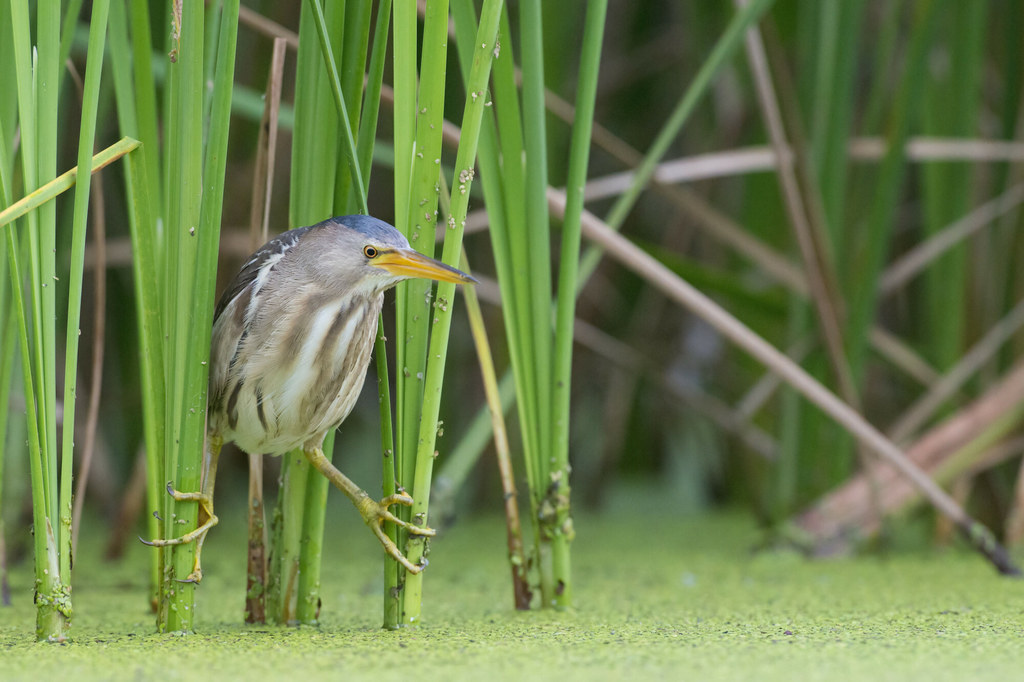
(37, 326)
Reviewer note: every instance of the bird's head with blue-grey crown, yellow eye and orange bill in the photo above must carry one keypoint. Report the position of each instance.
(378, 257)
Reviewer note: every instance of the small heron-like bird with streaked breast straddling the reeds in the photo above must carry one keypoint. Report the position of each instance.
(292, 338)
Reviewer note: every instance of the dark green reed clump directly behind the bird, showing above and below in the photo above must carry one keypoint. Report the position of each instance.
(322, 186)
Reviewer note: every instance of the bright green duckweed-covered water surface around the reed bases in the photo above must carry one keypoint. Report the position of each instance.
(677, 600)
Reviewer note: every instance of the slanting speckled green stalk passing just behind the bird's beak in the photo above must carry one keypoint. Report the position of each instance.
(484, 53)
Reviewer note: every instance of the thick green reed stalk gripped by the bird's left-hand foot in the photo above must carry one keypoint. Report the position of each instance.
(196, 228)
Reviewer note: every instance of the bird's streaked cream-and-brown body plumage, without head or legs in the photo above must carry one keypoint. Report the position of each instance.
(261, 394)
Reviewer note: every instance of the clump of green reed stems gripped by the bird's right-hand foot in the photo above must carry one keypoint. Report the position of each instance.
(424, 317)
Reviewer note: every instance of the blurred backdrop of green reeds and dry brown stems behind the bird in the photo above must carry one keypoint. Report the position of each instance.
(897, 127)
